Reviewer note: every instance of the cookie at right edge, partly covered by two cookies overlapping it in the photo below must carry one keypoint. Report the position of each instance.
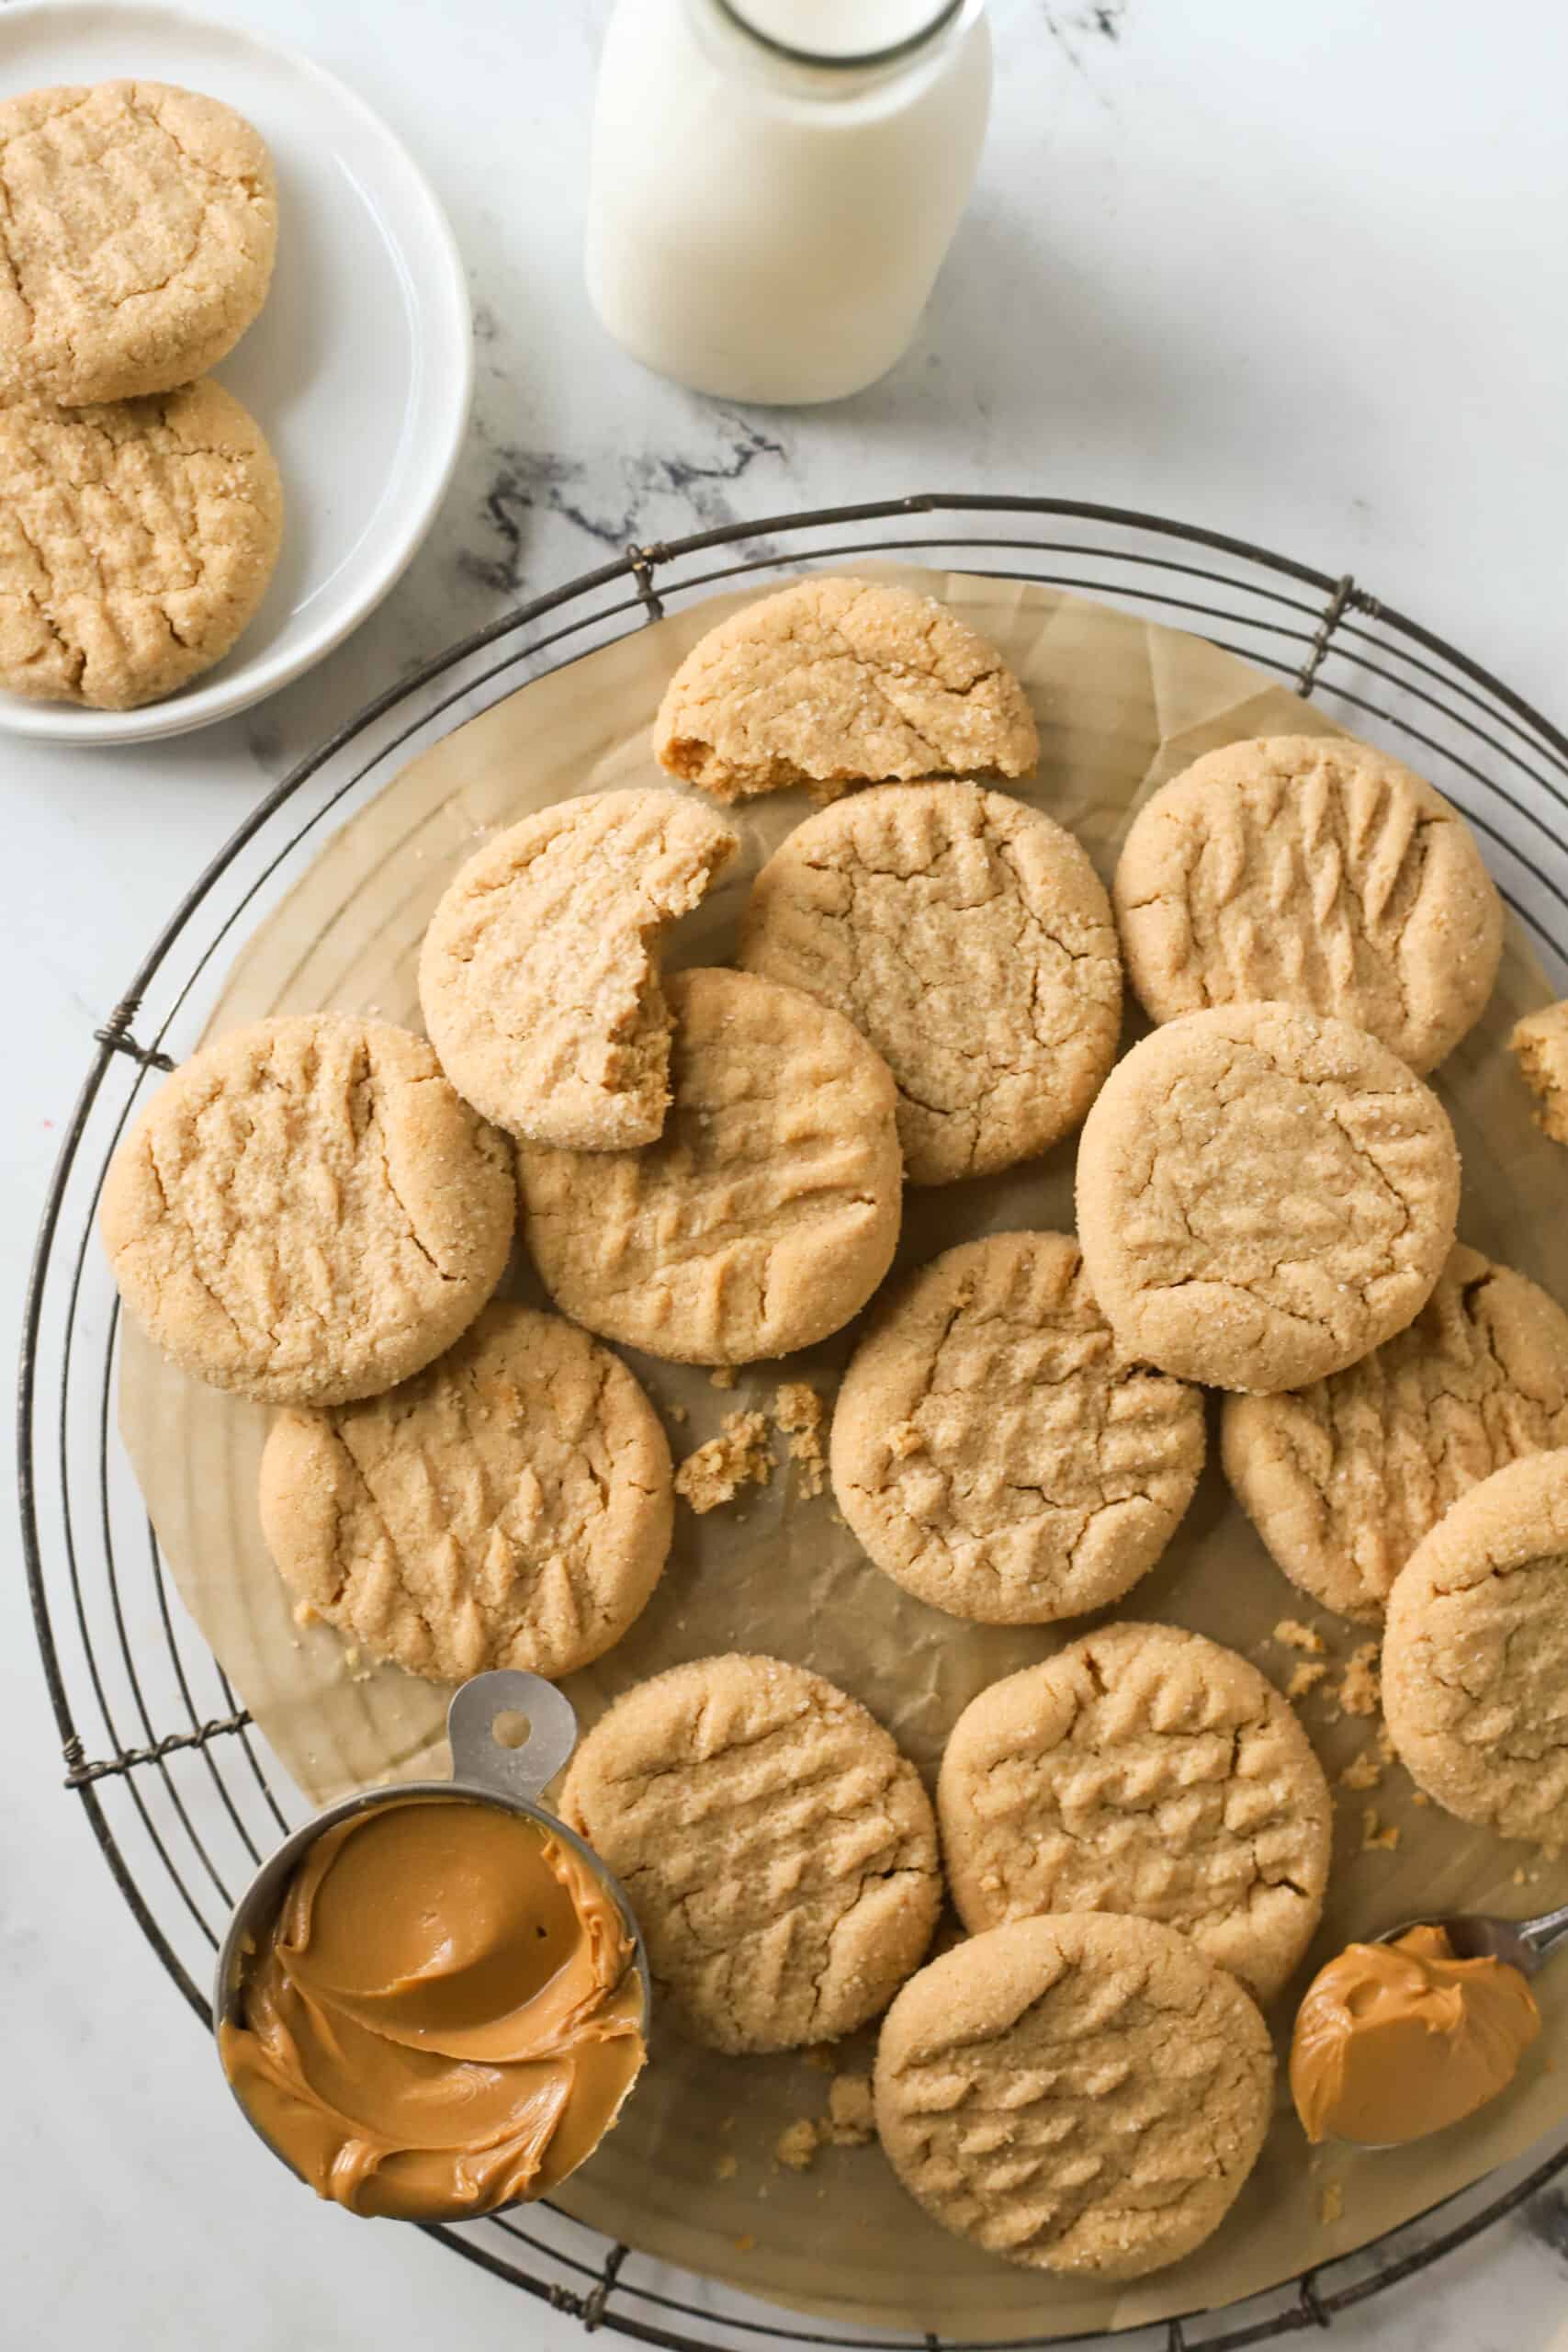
(1348, 1476)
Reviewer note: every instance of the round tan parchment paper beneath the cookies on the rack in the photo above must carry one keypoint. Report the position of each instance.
(1120, 707)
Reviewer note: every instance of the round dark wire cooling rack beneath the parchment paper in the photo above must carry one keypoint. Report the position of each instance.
(173, 1777)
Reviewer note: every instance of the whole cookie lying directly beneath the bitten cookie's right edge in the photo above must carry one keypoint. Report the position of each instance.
(765, 1215)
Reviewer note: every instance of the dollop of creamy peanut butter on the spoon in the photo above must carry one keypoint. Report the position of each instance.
(1398, 2040)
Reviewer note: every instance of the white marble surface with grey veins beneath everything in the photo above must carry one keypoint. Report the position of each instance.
(1289, 272)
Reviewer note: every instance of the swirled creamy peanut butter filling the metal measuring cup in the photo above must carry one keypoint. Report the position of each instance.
(445, 2014)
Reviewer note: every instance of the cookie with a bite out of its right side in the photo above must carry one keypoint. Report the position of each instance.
(540, 975)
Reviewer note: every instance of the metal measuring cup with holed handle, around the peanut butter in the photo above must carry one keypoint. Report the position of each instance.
(488, 1772)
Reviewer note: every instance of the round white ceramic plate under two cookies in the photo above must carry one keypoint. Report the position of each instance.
(359, 370)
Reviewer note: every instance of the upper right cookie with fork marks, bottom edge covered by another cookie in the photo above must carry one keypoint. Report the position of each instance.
(1313, 871)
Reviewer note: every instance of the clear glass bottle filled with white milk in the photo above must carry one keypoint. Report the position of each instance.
(775, 185)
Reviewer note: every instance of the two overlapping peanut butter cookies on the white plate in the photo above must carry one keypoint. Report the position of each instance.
(140, 502)
